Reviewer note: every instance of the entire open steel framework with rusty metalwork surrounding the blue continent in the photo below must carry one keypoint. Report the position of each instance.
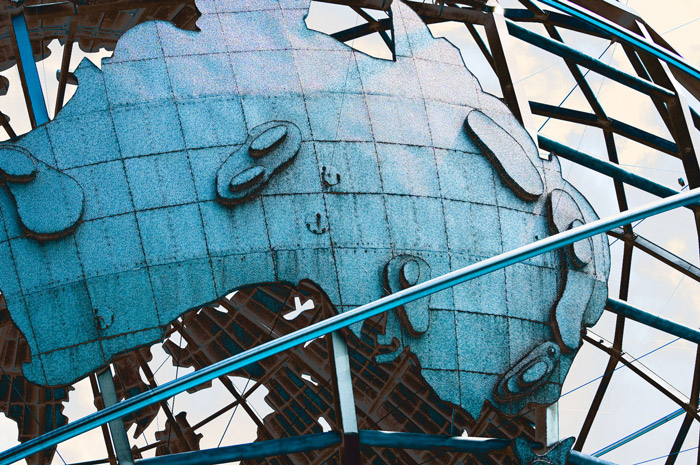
(661, 75)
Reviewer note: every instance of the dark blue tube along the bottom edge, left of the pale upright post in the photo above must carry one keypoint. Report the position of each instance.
(251, 451)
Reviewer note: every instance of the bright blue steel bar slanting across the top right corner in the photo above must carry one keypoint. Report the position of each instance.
(623, 35)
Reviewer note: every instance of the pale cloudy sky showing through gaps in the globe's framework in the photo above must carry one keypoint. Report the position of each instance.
(630, 403)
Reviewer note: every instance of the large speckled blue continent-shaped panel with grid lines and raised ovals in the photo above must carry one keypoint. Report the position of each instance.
(387, 174)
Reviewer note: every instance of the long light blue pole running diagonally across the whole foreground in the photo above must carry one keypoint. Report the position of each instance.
(340, 321)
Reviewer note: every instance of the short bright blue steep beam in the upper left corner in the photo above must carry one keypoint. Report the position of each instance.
(27, 67)
